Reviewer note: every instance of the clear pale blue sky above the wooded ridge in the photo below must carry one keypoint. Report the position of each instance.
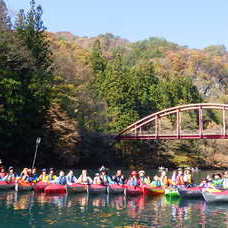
(195, 23)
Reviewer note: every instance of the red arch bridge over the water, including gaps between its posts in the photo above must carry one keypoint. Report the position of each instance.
(192, 121)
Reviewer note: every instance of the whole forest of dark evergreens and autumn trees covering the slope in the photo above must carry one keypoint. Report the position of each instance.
(77, 92)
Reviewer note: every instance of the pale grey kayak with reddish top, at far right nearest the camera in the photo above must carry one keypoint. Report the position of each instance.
(218, 196)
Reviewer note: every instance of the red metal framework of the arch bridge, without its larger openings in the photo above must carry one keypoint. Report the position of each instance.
(136, 131)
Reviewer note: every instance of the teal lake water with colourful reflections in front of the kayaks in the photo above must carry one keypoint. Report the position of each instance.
(82, 210)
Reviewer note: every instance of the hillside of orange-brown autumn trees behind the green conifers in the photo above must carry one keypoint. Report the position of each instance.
(207, 68)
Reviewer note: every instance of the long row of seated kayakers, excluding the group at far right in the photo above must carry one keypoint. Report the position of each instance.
(139, 178)
